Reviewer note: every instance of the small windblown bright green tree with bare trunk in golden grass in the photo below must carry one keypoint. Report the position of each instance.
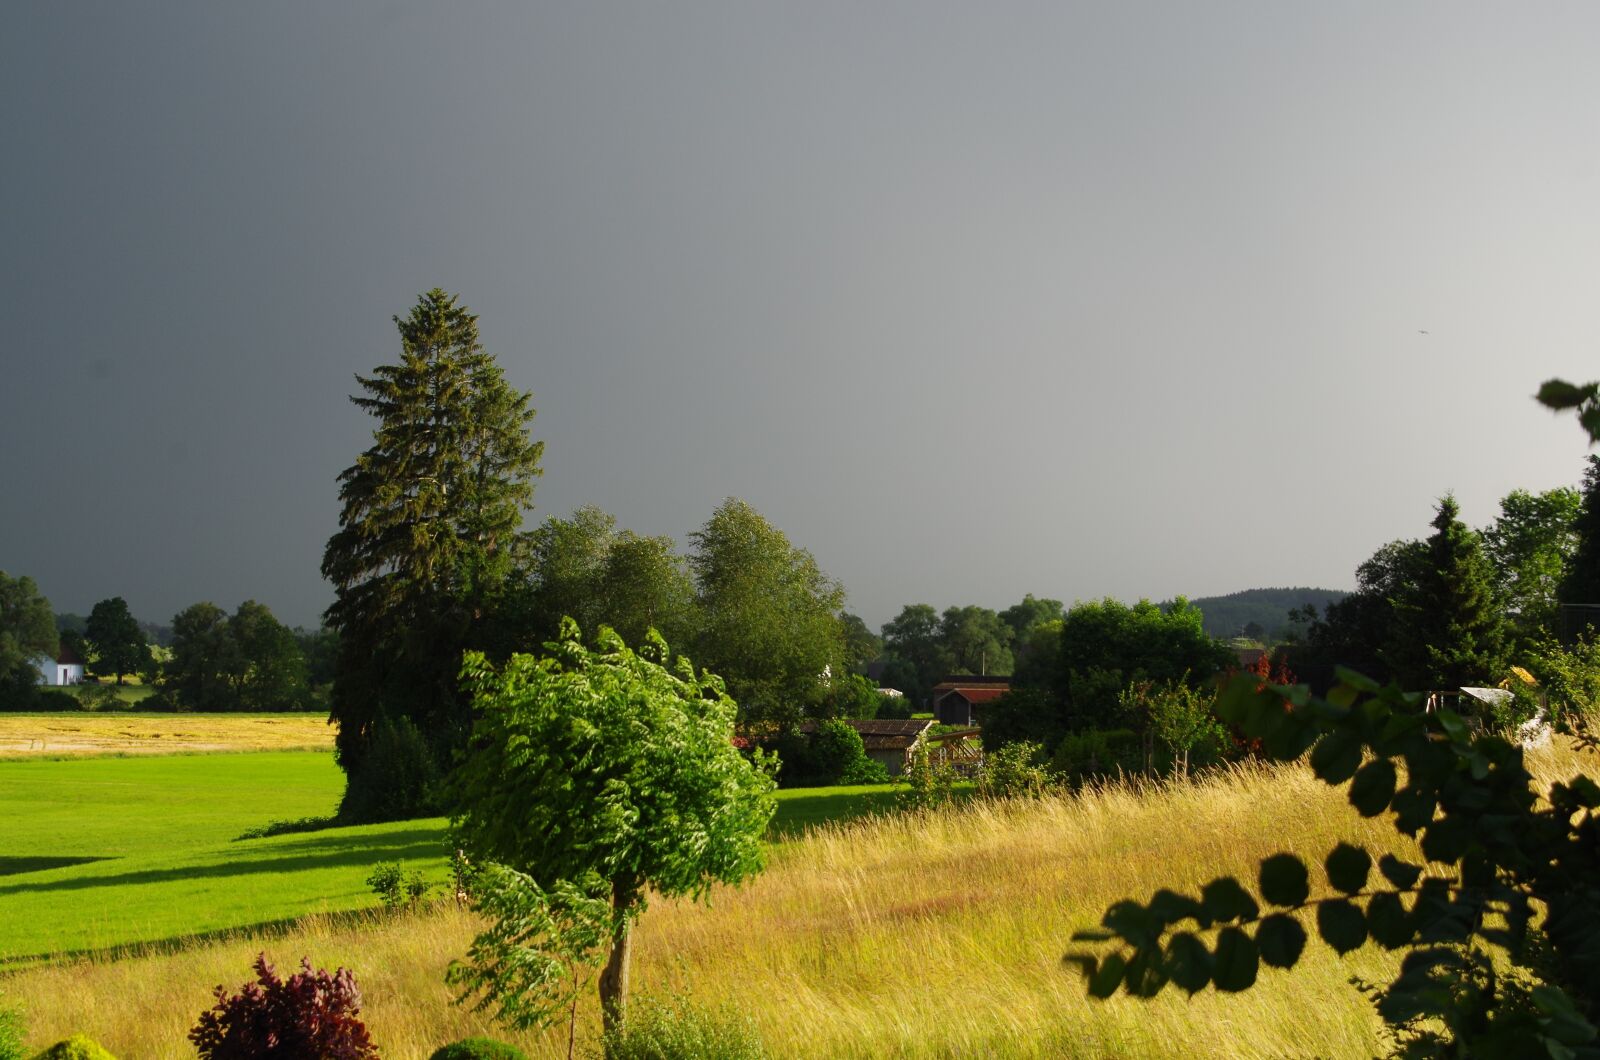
(593, 779)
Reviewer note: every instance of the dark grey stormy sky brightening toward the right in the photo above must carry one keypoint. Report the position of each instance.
(970, 300)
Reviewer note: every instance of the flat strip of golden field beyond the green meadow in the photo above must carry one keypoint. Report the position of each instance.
(30, 736)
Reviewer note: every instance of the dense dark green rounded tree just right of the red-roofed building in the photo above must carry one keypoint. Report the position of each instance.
(1106, 646)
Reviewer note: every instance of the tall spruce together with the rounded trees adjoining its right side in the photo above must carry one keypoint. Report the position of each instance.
(431, 561)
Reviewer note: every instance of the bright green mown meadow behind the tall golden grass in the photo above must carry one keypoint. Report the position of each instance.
(106, 853)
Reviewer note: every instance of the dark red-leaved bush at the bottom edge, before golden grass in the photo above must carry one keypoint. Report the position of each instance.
(310, 1014)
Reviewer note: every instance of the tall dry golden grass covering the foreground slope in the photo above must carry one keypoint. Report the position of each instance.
(919, 936)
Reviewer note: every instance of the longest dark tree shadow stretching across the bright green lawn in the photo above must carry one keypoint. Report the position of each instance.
(308, 854)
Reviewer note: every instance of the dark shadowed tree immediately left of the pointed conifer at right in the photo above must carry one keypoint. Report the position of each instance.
(1359, 630)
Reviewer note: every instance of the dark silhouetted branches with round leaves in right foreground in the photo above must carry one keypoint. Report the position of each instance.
(1497, 859)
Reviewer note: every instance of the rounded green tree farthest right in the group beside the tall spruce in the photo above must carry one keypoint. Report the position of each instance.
(769, 614)
